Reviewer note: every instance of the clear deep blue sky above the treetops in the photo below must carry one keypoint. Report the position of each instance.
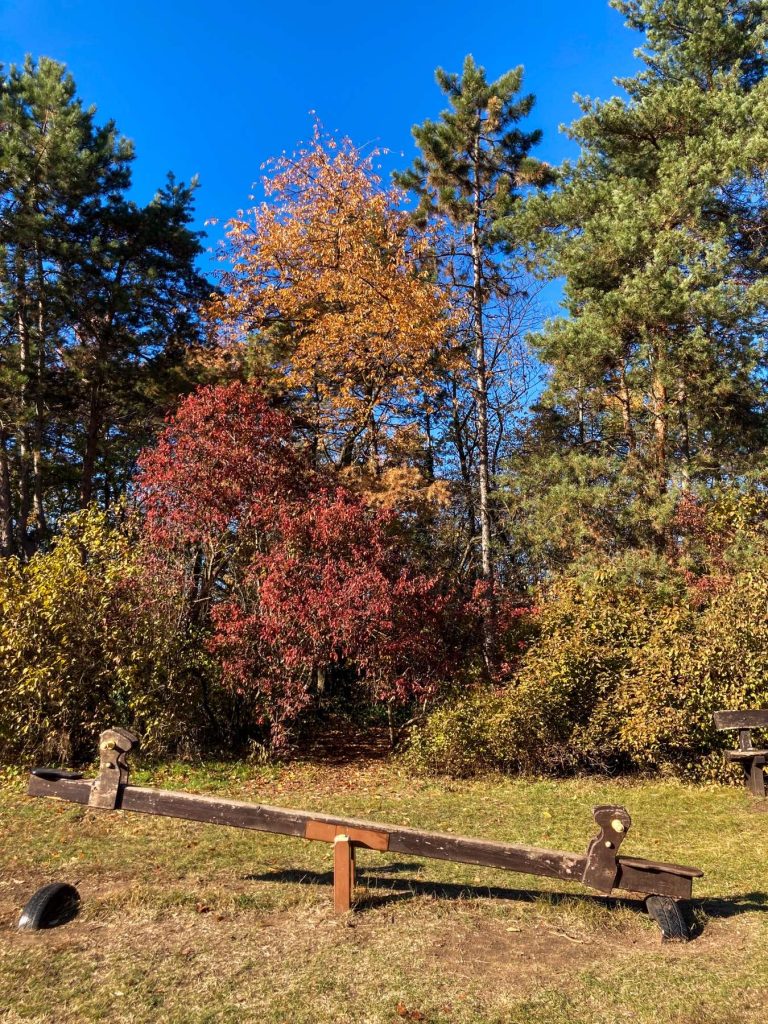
(215, 90)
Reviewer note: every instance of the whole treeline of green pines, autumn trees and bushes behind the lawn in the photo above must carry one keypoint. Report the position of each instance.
(359, 473)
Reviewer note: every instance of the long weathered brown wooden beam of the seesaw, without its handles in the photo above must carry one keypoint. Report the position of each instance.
(634, 875)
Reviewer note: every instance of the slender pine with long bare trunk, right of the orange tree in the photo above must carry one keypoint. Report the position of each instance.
(475, 162)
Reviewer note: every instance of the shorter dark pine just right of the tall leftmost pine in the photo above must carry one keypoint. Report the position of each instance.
(135, 303)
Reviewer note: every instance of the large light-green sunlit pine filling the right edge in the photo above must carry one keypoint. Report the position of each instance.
(659, 230)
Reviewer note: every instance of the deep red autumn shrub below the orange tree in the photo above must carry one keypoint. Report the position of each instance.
(298, 579)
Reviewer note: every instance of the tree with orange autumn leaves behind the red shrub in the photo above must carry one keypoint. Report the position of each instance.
(330, 279)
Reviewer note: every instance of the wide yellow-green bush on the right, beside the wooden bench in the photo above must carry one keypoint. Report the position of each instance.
(630, 663)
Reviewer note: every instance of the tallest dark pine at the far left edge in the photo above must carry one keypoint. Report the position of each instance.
(54, 164)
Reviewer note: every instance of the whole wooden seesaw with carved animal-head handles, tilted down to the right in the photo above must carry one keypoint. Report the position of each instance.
(601, 868)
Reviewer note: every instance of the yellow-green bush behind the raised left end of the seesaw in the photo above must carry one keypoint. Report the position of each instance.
(92, 635)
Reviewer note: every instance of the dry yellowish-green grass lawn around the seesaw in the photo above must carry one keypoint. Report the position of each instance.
(189, 923)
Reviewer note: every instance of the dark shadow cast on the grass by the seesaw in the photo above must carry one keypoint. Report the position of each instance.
(386, 887)
